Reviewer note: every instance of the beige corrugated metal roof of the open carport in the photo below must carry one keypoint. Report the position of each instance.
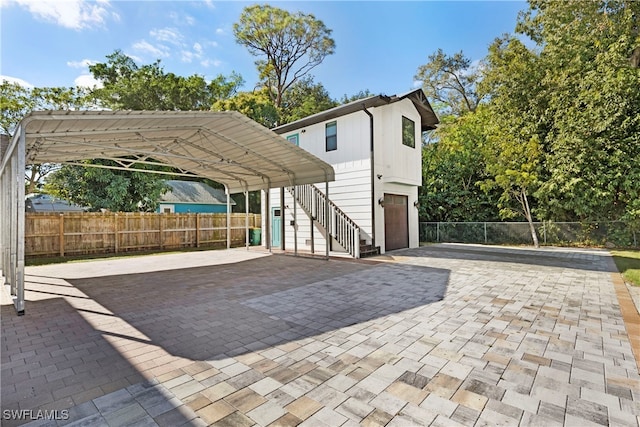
(226, 147)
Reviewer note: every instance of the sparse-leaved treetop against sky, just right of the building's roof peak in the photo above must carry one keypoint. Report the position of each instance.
(451, 81)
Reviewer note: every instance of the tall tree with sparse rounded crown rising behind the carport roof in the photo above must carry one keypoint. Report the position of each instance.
(289, 45)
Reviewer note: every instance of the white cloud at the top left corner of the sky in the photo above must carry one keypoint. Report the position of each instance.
(73, 14)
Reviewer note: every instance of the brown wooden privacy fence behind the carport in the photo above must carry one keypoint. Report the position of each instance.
(57, 234)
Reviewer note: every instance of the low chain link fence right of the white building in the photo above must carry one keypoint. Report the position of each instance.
(607, 234)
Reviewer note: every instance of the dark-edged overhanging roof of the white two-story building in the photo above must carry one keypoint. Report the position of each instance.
(419, 99)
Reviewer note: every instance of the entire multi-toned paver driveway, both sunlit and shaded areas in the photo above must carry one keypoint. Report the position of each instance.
(443, 335)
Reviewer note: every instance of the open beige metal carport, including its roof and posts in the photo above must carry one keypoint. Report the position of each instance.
(226, 147)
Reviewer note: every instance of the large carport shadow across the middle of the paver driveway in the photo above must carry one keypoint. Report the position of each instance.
(214, 312)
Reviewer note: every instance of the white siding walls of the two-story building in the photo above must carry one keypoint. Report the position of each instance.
(400, 168)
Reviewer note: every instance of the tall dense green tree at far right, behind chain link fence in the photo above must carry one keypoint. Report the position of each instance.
(591, 90)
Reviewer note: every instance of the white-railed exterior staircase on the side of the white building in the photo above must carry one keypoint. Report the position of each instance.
(332, 220)
